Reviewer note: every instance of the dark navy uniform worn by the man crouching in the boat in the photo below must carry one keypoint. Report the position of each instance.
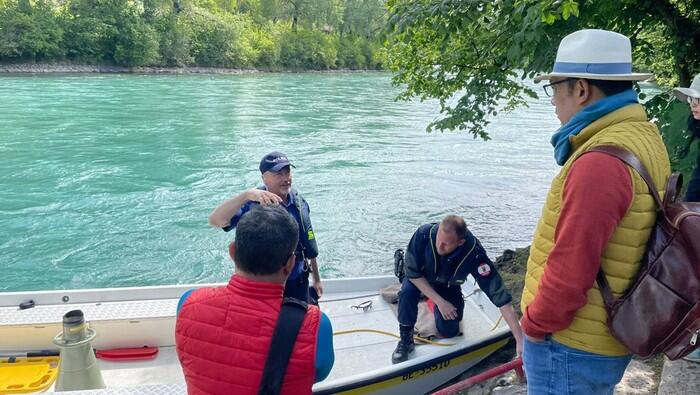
(445, 275)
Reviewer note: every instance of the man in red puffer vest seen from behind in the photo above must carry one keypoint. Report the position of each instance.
(223, 334)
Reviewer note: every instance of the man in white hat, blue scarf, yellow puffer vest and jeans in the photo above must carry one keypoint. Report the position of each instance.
(598, 214)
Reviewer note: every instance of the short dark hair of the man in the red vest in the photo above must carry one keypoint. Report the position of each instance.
(265, 238)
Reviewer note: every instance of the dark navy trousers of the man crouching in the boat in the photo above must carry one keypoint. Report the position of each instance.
(408, 306)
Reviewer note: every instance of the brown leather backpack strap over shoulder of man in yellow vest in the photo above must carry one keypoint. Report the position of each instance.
(631, 160)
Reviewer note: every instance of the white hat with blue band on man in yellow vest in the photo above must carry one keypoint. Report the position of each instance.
(595, 55)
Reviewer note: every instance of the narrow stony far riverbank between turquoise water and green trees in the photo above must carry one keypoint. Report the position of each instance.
(68, 68)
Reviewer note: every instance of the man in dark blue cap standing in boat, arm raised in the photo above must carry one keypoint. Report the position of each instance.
(277, 179)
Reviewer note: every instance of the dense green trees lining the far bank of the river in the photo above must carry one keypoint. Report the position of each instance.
(268, 34)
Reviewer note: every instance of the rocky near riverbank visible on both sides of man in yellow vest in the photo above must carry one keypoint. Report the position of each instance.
(641, 376)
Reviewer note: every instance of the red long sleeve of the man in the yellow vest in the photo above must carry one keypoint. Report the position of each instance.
(596, 195)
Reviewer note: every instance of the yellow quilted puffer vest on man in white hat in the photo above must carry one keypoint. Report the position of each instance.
(627, 127)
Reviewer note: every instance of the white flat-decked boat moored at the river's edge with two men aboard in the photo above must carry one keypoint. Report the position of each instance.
(363, 322)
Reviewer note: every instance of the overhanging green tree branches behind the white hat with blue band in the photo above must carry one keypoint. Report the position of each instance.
(474, 55)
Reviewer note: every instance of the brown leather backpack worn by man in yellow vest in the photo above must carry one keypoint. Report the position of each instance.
(660, 312)
